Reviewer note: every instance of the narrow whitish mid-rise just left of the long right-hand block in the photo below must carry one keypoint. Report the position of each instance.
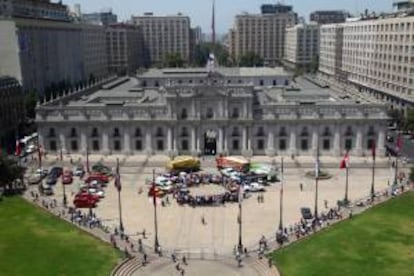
(302, 46)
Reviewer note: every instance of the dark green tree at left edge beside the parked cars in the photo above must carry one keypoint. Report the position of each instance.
(10, 171)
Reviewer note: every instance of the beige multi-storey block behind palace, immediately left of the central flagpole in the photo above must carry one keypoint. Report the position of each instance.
(164, 35)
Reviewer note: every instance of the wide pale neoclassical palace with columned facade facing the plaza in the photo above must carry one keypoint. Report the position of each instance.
(235, 111)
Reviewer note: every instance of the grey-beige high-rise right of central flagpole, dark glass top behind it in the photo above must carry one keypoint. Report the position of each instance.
(263, 34)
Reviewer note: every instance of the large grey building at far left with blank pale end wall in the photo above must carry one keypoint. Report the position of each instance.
(43, 53)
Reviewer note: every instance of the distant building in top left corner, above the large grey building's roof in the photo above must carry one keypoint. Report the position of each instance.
(38, 9)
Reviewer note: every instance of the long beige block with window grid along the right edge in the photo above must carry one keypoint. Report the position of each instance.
(376, 56)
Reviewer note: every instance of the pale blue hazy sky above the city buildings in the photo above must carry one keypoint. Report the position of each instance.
(200, 10)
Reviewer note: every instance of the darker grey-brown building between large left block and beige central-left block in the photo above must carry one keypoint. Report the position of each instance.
(124, 48)
